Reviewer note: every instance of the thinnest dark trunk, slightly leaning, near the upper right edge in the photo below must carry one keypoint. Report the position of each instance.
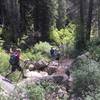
(89, 20)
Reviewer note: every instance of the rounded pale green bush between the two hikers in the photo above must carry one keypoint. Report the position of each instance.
(39, 51)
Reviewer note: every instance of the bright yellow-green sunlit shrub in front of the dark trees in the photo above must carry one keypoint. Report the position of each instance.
(65, 37)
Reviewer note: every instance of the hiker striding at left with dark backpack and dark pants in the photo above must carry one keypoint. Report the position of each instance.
(15, 61)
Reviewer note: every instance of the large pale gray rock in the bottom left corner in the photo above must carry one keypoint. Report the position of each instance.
(11, 91)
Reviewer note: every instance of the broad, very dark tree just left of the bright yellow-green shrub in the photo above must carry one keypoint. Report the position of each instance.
(44, 17)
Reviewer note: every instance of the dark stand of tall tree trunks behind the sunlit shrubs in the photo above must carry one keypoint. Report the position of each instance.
(37, 18)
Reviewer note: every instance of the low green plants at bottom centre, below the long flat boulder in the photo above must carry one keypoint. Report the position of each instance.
(37, 92)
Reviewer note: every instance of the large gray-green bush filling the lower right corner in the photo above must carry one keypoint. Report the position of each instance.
(86, 79)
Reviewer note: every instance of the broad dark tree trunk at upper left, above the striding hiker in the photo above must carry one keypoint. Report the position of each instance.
(12, 19)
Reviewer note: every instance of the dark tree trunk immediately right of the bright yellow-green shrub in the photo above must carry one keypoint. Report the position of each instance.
(81, 44)
